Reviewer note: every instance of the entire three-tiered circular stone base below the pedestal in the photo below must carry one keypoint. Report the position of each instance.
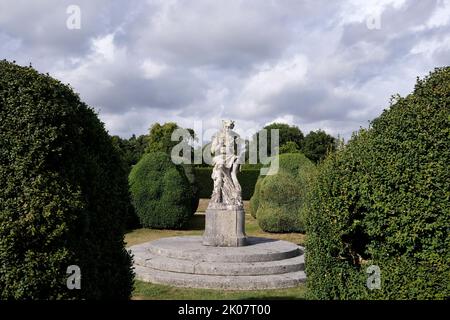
(183, 261)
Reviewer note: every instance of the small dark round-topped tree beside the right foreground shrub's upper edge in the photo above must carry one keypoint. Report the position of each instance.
(317, 144)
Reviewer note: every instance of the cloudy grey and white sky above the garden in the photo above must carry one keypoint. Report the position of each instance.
(331, 65)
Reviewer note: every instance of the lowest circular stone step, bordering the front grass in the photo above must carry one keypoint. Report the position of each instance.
(261, 282)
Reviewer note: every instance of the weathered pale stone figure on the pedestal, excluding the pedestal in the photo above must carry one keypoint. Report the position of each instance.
(225, 146)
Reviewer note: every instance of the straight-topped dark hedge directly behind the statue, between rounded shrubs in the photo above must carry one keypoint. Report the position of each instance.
(247, 179)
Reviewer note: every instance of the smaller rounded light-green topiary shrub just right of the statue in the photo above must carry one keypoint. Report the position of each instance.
(281, 199)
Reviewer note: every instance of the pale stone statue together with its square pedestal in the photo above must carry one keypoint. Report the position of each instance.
(225, 216)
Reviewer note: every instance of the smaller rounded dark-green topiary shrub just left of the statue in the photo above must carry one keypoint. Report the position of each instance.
(161, 192)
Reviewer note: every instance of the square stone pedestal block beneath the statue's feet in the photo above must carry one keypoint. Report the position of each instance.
(224, 227)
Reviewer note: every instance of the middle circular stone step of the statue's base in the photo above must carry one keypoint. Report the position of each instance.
(220, 268)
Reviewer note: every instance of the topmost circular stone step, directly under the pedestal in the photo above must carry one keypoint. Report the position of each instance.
(191, 248)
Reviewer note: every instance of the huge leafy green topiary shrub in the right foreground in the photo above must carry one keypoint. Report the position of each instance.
(384, 201)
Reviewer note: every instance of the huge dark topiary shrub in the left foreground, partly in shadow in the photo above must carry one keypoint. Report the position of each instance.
(63, 194)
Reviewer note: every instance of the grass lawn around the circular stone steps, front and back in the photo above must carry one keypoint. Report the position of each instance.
(144, 290)
